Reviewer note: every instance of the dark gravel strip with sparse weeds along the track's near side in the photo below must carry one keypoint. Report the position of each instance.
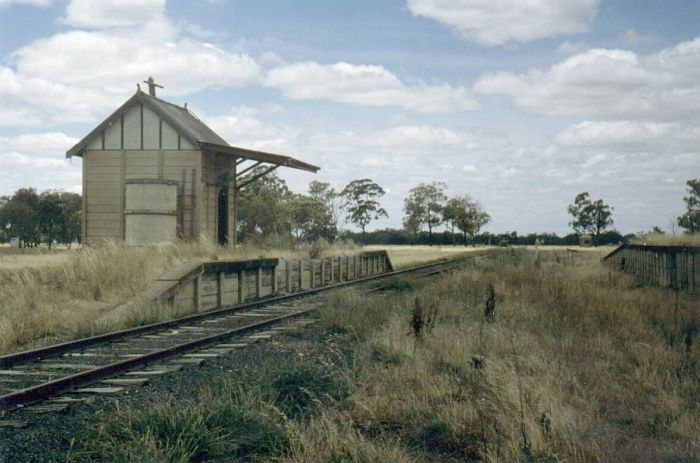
(49, 436)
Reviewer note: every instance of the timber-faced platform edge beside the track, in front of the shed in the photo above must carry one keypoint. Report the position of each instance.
(218, 284)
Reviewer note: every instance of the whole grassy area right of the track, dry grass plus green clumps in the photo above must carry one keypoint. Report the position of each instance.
(577, 364)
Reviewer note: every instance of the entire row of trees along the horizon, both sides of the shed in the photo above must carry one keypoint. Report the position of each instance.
(267, 207)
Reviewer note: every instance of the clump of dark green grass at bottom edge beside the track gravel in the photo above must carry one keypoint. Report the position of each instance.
(227, 423)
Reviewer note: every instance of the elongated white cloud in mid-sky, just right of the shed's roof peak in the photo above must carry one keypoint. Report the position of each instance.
(365, 85)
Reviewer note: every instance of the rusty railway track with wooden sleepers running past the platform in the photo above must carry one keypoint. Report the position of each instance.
(107, 363)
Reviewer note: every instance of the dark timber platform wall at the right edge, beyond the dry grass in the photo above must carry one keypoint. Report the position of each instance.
(676, 267)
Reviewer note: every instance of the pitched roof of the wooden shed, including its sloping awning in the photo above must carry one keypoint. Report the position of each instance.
(191, 128)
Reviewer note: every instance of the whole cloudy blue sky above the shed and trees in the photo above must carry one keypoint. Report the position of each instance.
(522, 105)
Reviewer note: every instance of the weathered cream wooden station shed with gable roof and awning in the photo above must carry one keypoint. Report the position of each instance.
(153, 173)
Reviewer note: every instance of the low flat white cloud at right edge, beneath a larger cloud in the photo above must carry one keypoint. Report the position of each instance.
(631, 136)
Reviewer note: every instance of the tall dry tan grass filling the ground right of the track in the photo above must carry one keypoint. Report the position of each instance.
(580, 365)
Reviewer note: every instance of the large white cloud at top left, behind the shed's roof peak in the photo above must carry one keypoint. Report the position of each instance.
(80, 75)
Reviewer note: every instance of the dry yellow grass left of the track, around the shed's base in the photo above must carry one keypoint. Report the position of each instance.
(54, 296)
